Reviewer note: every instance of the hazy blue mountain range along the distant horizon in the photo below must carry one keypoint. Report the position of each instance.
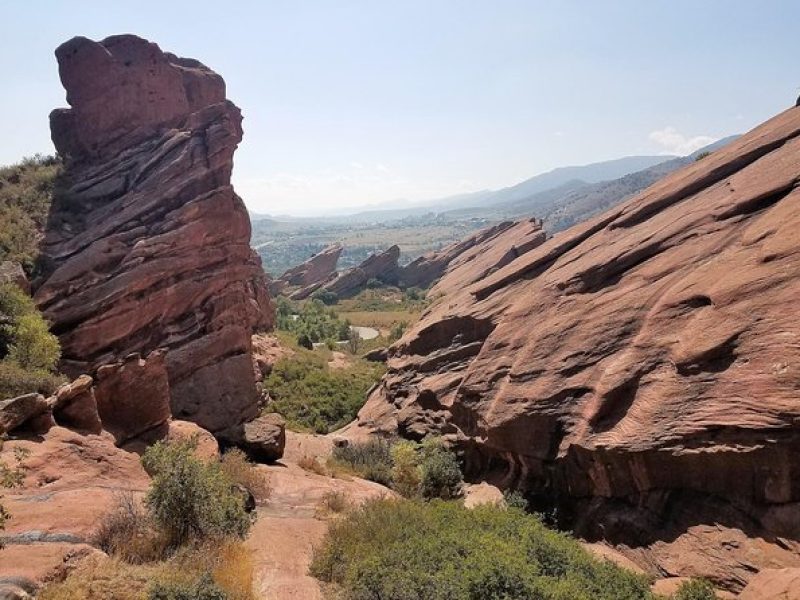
(561, 197)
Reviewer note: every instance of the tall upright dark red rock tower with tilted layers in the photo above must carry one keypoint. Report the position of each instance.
(147, 245)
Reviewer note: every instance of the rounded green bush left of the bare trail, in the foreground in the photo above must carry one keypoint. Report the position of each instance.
(189, 498)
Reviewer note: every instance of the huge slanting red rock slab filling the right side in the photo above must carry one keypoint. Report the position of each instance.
(639, 370)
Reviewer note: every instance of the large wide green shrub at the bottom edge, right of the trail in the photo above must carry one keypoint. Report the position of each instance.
(403, 550)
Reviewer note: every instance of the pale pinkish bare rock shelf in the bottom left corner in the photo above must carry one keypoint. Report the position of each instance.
(70, 481)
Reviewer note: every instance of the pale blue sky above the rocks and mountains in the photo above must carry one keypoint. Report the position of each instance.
(348, 103)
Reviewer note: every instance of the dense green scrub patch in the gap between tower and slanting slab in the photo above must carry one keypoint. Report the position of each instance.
(313, 397)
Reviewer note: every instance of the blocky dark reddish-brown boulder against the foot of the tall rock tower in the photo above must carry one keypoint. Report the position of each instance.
(133, 395)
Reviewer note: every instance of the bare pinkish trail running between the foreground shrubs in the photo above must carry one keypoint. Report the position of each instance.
(291, 523)
